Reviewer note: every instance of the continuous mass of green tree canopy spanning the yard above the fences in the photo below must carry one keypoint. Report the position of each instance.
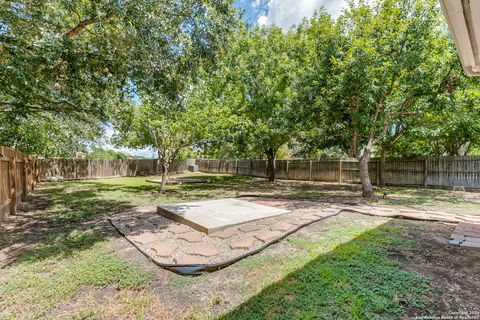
(185, 76)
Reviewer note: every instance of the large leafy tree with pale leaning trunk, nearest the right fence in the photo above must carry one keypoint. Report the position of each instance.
(376, 64)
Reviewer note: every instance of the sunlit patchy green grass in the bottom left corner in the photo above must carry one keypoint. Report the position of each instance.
(35, 286)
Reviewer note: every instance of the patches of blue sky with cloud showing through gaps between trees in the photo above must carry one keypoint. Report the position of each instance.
(283, 13)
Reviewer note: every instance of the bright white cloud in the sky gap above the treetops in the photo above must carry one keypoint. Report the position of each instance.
(285, 13)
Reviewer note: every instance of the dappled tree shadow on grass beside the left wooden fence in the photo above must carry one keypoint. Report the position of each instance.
(58, 222)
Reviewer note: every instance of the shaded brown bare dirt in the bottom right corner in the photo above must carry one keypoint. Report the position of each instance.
(454, 272)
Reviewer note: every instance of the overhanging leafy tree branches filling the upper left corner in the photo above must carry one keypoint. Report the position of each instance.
(80, 59)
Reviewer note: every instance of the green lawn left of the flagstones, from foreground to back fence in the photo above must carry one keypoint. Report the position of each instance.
(70, 253)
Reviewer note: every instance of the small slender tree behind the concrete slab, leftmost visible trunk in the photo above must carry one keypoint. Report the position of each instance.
(168, 126)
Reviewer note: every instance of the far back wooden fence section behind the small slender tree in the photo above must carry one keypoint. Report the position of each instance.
(78, 169)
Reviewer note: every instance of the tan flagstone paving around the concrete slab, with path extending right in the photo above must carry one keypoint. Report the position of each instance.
(168, 242)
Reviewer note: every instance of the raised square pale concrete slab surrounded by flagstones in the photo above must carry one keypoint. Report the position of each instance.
(215, 215)
